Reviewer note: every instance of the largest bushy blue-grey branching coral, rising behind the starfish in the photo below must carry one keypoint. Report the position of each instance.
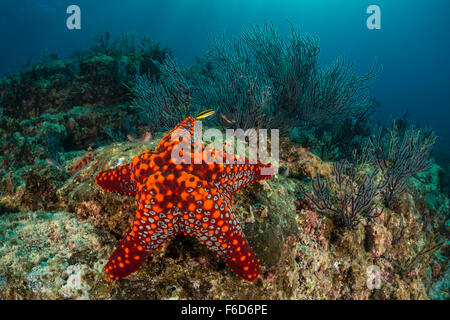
(262, 63)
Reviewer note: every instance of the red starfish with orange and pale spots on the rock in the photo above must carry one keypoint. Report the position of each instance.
(188, 198)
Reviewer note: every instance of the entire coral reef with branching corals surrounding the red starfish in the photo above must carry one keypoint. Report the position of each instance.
(78, 117)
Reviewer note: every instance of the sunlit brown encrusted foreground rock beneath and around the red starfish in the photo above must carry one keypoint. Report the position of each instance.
(57, 251)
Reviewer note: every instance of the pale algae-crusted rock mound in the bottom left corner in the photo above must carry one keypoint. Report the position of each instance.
(49, 256)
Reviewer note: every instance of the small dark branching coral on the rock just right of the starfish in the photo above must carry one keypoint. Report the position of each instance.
(348, 197)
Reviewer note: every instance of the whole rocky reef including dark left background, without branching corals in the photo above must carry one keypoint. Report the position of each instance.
(61, 122)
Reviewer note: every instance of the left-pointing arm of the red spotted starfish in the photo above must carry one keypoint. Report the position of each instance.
(117, 180)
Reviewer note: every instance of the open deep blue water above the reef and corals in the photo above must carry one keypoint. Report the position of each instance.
(413, 44)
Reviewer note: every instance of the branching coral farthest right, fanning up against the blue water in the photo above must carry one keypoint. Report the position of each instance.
(400, 154)
